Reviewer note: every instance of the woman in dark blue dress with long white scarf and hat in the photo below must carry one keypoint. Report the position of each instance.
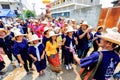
(37, 53)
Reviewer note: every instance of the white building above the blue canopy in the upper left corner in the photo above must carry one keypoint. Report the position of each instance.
(14, 5)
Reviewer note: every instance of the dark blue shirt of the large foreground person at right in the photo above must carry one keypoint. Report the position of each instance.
(106, 60)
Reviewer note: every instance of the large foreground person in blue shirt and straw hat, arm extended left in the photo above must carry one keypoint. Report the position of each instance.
(109, 60)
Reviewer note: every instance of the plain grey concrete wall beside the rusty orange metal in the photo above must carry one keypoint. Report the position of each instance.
(89, 14)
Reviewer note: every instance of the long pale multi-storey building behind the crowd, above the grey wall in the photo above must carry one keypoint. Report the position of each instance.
(63, 7)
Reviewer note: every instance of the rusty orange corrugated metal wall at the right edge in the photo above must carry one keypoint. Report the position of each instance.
(110, 17)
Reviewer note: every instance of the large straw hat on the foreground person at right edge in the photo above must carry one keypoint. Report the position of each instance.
(112, 35)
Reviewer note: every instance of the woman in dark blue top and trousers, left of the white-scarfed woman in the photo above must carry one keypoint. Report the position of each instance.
(20, 50)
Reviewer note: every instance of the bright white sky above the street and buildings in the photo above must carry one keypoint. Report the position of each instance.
(39, 5)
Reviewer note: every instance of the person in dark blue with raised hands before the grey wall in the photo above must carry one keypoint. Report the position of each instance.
(83, 39)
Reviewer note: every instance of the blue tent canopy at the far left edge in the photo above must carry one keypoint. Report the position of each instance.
(7, 13)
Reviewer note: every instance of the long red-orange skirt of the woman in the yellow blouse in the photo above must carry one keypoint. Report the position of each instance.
(54, 63)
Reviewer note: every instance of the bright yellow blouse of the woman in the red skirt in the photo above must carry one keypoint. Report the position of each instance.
(51, 48)
